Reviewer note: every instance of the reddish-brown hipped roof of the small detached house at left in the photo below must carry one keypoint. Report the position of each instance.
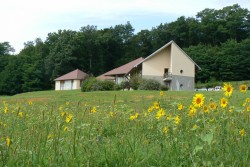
(76, 74)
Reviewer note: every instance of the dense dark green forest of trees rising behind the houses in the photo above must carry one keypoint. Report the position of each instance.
(217, 40)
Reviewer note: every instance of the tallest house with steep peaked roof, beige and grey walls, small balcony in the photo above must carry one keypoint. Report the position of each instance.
(169, 65)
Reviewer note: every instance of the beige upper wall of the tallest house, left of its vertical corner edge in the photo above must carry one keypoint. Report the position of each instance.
(156, 64)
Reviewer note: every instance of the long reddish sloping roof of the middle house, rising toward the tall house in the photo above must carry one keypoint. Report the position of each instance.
(124, 69)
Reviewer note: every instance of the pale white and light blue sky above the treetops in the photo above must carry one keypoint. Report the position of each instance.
(26, 20)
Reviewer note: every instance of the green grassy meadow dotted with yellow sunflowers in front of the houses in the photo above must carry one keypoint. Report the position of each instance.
(126, 128)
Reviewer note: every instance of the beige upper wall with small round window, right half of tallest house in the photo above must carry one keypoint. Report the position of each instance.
(181, 62)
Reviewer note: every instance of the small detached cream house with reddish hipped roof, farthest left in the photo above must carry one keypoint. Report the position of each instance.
(71, 80)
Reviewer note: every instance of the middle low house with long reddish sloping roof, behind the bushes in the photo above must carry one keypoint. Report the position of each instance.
(120, 74)
